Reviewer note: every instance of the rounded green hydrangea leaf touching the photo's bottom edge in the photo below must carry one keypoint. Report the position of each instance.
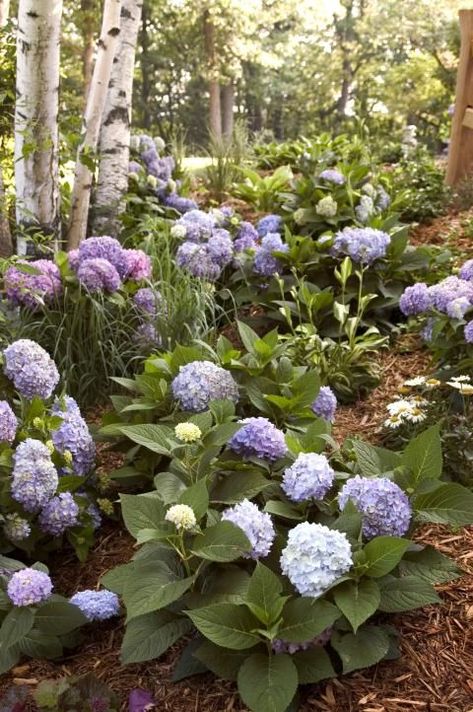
(267, 683)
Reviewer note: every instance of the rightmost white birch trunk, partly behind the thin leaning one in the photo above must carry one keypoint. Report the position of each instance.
(114, 141)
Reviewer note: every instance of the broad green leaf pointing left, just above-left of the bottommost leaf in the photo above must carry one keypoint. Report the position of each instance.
(227, 624)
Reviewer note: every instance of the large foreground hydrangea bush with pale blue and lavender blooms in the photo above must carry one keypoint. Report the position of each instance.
(281, 561)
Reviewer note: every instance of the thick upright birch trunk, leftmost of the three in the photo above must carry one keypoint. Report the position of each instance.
(36, 112)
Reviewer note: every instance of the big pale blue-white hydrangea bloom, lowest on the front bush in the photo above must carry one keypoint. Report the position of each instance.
(315, 557)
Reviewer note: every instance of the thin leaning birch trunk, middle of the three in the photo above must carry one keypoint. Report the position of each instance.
(92, 120)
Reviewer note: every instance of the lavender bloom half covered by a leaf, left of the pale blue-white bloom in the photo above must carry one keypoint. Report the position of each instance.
(257, 526)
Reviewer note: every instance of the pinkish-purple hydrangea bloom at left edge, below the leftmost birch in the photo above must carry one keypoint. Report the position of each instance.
(32, 290)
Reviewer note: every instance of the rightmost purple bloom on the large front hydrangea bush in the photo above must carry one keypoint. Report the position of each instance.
(385, 508)
